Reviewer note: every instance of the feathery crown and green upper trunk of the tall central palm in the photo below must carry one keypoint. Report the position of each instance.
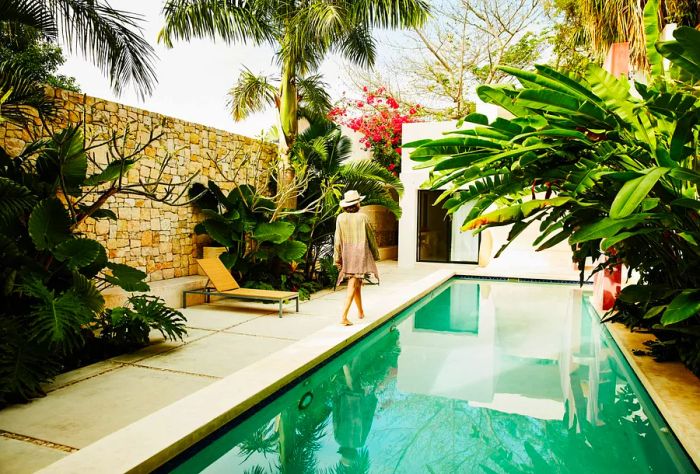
(302, 32)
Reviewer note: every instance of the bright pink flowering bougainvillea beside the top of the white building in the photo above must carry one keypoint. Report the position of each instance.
(378, 116)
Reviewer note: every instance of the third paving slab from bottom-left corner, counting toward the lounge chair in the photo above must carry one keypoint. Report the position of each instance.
(218, 355)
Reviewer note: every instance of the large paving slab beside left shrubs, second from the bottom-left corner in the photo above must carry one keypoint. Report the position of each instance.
(82, 413)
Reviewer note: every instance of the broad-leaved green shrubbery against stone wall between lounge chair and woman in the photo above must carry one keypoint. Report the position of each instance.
(271, 247)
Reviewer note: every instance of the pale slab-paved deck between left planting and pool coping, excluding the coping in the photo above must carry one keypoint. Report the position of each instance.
(87, 404)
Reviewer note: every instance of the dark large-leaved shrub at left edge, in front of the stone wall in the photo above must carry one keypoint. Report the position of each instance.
(52, 314)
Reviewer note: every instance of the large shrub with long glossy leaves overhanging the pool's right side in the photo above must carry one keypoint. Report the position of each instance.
(610, 169)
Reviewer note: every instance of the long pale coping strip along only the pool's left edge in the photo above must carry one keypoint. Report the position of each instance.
(158, 437)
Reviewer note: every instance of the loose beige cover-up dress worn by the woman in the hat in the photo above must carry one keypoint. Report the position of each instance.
(355, 247)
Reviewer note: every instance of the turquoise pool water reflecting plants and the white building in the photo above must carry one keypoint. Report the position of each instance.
(483, 377)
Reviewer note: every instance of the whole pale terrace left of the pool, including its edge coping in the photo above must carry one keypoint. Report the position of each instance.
(228, 343)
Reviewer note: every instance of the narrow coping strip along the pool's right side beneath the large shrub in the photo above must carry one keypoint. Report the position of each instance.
(673, 388)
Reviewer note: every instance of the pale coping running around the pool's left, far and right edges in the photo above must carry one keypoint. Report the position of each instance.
(157, 438)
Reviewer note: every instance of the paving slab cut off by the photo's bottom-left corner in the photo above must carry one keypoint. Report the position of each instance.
(21, 457)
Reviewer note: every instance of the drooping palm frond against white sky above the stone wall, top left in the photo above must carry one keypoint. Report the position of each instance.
(111, 38)
